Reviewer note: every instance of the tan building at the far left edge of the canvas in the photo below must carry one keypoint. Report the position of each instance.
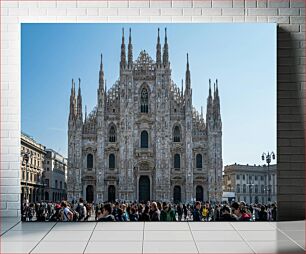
(32, 163)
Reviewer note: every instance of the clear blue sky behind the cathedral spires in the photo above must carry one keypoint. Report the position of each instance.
(241, 56)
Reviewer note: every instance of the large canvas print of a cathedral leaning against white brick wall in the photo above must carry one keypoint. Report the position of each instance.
(148, 122)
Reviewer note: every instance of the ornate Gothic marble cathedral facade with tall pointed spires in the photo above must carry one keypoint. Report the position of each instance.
(144, 140)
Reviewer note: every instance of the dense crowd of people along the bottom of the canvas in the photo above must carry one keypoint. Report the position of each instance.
(148, 211)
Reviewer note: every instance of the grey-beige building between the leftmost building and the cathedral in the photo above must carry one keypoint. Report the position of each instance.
(55, 176)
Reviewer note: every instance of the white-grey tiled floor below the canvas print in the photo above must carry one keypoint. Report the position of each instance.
(152, 237)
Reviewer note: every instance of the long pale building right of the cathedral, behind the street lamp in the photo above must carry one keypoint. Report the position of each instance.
(252, 184)
